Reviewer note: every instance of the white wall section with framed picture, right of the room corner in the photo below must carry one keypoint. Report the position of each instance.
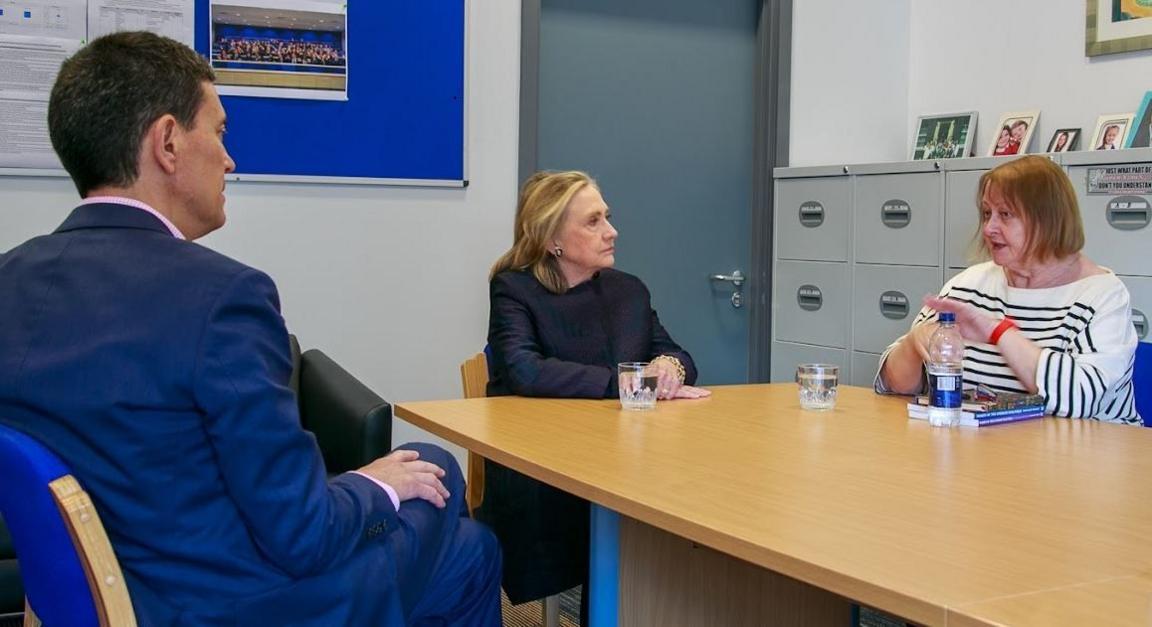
(1030, 57)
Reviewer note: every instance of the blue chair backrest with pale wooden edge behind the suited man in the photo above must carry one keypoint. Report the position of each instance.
(70, 571)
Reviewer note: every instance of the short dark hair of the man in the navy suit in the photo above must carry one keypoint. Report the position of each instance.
(110, 93)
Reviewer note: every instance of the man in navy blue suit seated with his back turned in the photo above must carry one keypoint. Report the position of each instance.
(158, 371)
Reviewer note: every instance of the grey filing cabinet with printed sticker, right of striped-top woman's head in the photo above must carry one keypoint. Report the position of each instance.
(1118, 228)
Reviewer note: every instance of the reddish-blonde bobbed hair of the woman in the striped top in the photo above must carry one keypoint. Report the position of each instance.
(1041, 192)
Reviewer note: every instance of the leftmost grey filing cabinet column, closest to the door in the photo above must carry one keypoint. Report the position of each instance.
(813, 230)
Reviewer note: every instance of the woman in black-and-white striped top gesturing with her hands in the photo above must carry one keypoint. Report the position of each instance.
(1039, 318)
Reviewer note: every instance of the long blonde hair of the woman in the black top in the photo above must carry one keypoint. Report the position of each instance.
(541, 210)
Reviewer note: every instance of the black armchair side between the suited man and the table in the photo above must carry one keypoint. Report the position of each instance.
(352, 425)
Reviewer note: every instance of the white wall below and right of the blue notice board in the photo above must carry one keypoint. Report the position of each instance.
(391, 283)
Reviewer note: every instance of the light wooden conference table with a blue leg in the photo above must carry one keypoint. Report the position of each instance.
(1040, 523)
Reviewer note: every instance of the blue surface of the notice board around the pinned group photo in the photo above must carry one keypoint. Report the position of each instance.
(404, 120)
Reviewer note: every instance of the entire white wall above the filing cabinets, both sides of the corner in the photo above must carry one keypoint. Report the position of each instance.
(862, 73)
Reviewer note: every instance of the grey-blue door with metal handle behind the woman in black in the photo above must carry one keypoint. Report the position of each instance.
(655, 99)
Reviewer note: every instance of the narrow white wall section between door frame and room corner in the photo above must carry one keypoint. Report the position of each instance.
(850, 82)
